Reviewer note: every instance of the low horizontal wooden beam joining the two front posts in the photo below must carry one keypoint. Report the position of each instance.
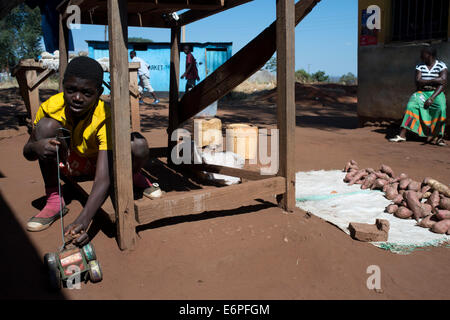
(198, 201)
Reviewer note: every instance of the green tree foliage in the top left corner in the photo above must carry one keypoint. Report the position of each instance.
(20, 35)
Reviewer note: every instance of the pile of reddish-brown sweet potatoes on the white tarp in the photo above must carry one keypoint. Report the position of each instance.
(427, 202)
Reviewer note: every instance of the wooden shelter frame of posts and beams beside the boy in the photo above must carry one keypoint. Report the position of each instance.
(279, 37)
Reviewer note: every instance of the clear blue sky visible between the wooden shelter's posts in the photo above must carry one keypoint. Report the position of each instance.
(325, 40)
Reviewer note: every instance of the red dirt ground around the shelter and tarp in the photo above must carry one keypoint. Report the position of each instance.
(254, 252)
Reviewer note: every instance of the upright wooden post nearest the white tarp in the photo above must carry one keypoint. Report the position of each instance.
(285, 28)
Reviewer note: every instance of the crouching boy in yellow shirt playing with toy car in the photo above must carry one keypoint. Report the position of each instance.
(87, 154)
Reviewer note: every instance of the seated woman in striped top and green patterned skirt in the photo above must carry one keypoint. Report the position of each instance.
(426, 111)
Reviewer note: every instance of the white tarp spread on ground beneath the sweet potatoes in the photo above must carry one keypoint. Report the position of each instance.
(324, 194)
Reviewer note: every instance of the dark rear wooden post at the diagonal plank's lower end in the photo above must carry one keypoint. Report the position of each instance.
(174, 86)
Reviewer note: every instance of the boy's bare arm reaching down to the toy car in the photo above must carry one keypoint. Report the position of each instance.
(99, 193)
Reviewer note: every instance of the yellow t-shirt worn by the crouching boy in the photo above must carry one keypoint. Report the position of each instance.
(91, 134)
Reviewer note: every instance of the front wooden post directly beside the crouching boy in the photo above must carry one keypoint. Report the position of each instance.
(121, 133)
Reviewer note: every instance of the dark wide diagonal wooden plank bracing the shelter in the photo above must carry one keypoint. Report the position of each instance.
(237, 69)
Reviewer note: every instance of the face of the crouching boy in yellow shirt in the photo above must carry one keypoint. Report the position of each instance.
(80, 95)
